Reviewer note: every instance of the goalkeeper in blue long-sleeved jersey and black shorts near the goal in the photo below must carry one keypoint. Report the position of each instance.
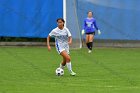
(89, 28)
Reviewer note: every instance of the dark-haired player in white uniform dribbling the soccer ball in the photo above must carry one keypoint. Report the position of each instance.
(62, 40)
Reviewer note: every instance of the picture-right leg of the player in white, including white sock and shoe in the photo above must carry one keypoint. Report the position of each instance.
(68, 62)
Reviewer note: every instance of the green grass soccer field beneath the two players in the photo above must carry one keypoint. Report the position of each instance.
(32, 70)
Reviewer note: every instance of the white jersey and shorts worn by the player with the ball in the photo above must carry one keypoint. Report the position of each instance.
(61, 39)
